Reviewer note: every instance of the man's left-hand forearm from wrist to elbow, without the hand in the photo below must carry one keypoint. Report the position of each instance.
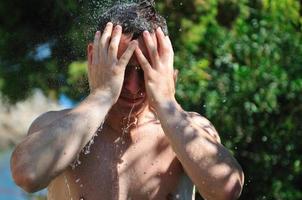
(47, 152)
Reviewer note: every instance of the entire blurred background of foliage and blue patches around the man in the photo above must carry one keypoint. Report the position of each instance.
(240, 64)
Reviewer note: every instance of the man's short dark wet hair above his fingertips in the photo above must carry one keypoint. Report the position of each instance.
(134, 18)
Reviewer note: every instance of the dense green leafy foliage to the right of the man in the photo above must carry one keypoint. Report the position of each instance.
(253, 96)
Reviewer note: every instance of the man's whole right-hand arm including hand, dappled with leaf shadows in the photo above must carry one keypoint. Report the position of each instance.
(195, 141)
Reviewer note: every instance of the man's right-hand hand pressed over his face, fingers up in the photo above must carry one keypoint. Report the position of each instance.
(159, 74)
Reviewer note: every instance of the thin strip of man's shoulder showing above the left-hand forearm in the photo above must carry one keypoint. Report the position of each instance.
(45, 119)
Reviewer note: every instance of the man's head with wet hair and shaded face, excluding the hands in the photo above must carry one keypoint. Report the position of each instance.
(134, 18)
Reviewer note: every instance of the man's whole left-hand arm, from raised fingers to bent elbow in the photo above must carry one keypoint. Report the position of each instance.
(52, 146)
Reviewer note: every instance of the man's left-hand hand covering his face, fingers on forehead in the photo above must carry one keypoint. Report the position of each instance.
(105, 70)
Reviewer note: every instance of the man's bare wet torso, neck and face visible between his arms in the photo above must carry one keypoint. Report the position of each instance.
(137, 163)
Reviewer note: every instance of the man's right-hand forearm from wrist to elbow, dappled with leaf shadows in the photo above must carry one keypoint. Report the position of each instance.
(211, 167)
